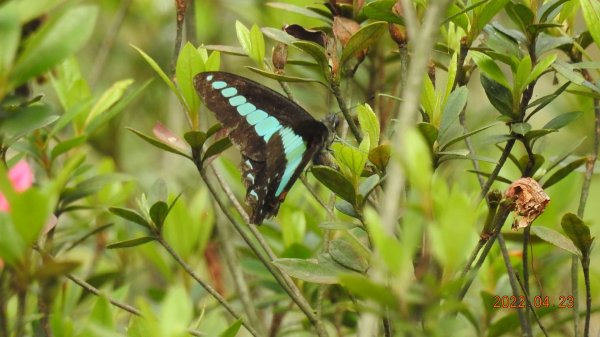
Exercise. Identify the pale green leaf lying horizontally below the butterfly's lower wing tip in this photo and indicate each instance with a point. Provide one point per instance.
(315, 271)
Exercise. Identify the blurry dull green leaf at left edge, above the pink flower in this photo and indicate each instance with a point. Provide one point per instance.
(25, 121)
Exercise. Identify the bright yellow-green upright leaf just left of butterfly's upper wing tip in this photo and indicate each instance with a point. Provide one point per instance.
(189, 63)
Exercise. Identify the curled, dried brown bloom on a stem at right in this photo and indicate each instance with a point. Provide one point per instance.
(530, 201)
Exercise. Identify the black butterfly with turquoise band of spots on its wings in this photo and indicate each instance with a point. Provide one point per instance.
(276, 137)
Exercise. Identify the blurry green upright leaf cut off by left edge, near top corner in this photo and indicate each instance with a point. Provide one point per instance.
(10, 34)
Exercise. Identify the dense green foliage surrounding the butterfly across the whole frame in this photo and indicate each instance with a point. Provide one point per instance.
(140, 236)
